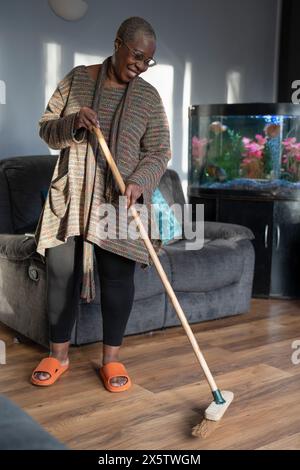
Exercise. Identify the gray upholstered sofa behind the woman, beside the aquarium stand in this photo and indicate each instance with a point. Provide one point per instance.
(210, 283)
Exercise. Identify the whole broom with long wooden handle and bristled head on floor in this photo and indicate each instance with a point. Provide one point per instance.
(221, 400)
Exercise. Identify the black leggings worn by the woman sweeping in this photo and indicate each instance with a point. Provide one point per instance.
(116, 273)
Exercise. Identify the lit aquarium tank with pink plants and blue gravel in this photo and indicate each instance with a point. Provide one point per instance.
(252, 147)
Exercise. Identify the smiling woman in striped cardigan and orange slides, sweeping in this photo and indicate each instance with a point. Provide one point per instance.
(131, 116)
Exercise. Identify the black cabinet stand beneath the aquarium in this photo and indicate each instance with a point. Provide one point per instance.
(276, 226)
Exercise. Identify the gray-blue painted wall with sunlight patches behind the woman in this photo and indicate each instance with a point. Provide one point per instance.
(199, 44)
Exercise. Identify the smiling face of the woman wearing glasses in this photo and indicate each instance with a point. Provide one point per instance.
(129, 58)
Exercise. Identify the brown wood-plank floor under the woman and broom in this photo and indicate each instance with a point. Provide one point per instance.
(248, 354)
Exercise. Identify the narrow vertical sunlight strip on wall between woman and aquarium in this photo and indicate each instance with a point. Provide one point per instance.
(186, 101)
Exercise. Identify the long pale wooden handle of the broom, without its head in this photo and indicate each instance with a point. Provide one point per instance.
(157, 263)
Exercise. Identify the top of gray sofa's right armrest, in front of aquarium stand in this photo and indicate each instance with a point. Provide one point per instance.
(215, 230)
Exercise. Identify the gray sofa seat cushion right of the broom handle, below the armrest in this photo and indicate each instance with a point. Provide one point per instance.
(219, 263)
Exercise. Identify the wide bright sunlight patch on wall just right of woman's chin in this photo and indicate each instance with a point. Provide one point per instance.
(162, 78)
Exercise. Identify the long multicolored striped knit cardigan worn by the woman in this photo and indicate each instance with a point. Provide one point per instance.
(142, 154)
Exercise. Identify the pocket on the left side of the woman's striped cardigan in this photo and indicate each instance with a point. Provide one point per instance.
(59, 195)
